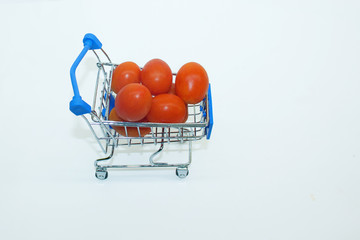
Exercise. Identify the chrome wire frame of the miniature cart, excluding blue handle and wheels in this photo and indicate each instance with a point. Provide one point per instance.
(108, 139)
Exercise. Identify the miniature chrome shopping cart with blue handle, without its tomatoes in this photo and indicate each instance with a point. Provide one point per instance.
(198, 125)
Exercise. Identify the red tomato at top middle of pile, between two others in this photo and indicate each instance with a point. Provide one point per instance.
(157, 76)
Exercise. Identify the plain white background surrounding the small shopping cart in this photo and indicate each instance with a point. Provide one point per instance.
(284, 158)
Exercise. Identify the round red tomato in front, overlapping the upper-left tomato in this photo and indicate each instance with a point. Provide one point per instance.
(133, 102)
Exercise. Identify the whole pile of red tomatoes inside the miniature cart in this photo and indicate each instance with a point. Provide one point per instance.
(150, 95)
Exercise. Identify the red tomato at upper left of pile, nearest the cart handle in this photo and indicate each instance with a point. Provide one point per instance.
(125, 73)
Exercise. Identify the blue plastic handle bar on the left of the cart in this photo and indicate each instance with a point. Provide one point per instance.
(77, 105)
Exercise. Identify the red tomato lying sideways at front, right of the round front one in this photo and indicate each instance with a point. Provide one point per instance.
(167, 108)
